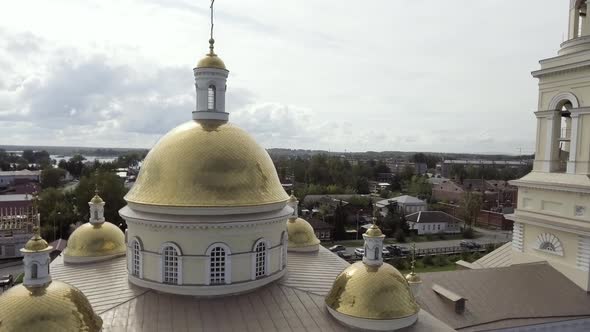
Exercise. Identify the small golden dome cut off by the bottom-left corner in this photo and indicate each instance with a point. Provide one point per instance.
(56, 307)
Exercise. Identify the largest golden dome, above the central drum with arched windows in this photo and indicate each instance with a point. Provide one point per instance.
(207, 164)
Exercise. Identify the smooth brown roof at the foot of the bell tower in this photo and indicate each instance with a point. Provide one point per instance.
(504, 297)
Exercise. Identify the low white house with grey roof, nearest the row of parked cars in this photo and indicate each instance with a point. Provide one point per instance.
(433, 222)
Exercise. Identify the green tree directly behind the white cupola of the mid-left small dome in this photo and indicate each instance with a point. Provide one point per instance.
(111, 189)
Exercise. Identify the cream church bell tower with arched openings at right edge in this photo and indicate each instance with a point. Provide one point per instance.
(552, 221)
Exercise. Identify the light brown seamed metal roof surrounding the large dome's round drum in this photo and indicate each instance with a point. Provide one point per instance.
(294, 303)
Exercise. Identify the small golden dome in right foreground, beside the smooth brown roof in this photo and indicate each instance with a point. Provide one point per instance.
(372, 292)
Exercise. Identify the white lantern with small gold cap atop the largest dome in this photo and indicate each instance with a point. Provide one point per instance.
(211, 83)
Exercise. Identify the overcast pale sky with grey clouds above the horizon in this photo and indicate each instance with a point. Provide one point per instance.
(410, 75)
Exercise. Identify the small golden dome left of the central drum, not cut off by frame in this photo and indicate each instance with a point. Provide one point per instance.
(101, 239)
